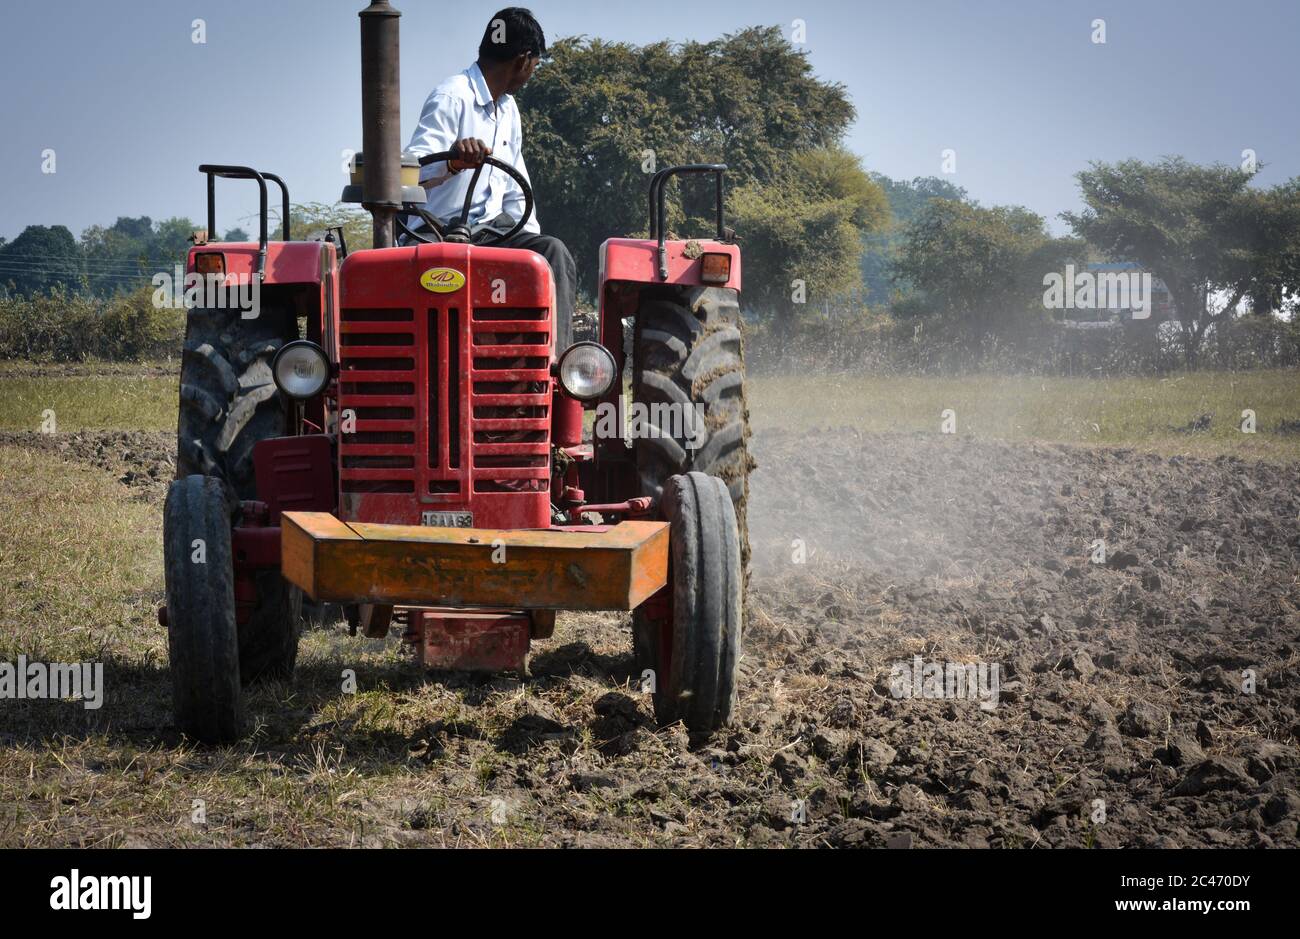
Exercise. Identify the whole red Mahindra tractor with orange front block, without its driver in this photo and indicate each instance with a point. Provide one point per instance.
(398, 432)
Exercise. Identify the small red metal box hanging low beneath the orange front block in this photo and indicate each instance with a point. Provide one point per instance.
(457, 641)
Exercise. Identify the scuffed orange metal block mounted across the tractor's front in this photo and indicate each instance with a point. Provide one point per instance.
(616, 569)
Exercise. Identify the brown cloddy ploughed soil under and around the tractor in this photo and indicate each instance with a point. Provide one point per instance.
(1149, 685)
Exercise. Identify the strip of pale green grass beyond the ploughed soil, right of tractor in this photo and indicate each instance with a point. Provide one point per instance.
(1138, 413)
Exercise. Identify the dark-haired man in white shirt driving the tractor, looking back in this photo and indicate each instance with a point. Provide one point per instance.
(475, 114)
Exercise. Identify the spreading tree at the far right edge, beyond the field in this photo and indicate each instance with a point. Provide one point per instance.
(1203, 231)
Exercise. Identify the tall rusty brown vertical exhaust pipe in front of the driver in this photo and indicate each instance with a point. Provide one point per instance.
(382, 118)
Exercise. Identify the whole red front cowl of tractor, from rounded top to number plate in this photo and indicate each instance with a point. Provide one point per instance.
(449, 393)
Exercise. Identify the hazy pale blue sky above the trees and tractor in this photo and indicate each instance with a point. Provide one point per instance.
(131, 106)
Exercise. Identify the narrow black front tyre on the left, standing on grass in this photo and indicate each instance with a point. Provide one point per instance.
(203, 642)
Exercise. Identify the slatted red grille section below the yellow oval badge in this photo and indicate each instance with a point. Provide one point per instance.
(445, 406)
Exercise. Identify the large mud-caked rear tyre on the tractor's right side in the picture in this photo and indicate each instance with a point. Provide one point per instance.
(690, 353)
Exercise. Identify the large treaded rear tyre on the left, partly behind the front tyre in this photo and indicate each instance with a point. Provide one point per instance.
(229, 403)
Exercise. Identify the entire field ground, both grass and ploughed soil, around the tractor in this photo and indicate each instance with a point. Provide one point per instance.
(877, 540)
